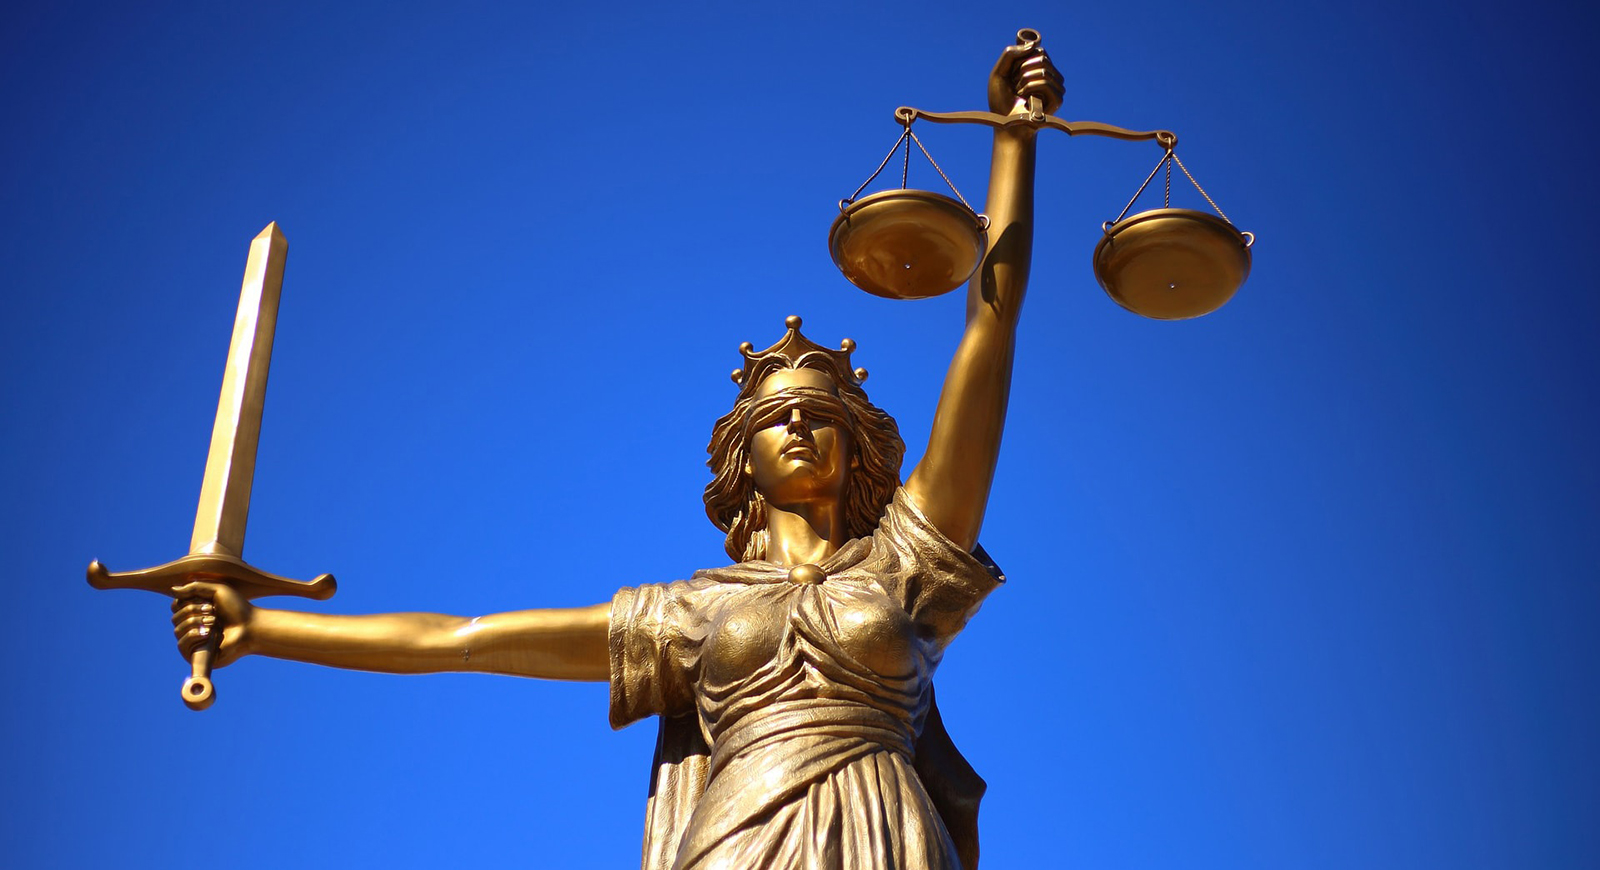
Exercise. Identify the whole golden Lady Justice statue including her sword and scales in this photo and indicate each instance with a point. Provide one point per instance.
(798, 720)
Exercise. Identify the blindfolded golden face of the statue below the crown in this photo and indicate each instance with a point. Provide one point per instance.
(801, 449)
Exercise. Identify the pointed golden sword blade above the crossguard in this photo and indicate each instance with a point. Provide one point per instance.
(231, 466)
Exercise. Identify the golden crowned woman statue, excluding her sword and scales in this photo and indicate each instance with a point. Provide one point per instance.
(798, 719)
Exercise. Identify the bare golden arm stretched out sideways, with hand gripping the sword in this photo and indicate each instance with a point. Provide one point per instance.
(548, 644)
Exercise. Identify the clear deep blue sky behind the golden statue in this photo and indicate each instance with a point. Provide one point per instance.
(1311, 583)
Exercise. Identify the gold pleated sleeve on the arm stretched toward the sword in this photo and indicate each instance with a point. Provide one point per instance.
(655, 642)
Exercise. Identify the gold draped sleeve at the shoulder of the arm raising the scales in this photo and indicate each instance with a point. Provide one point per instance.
(938, 583)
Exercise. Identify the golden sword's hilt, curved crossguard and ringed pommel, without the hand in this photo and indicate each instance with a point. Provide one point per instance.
(236, 573)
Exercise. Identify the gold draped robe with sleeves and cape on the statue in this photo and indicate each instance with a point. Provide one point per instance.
(798, 720)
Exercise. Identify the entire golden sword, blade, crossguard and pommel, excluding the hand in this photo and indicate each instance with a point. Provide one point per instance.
(225, 495)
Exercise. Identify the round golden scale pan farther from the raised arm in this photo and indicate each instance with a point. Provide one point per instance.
(1172, 263)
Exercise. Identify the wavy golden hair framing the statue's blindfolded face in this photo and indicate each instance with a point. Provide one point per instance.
(740, 511)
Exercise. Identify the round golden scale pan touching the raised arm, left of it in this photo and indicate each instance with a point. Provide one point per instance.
(908, 244)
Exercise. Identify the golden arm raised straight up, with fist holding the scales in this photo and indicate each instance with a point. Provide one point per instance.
(953, 481)
